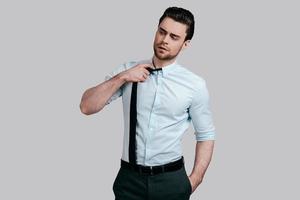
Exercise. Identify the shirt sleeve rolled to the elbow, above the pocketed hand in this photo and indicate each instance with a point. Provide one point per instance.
(201, 115)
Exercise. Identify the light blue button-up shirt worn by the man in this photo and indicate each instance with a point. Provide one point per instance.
(167, 101)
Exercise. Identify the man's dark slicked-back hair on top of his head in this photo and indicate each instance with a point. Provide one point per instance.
(183, 16)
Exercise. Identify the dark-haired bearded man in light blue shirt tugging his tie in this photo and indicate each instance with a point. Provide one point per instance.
(160, 99)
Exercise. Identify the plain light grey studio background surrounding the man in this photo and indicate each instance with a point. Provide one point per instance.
(51, 51)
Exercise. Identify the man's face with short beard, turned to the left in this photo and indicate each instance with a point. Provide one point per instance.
(169, 39)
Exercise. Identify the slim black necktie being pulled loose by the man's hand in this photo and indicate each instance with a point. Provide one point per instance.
(132, 124)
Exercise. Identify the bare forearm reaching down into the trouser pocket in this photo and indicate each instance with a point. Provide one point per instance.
(203, 155)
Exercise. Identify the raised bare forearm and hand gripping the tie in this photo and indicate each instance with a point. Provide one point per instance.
(94, 99)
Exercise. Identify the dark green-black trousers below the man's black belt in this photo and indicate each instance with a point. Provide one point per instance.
(132, 185)
